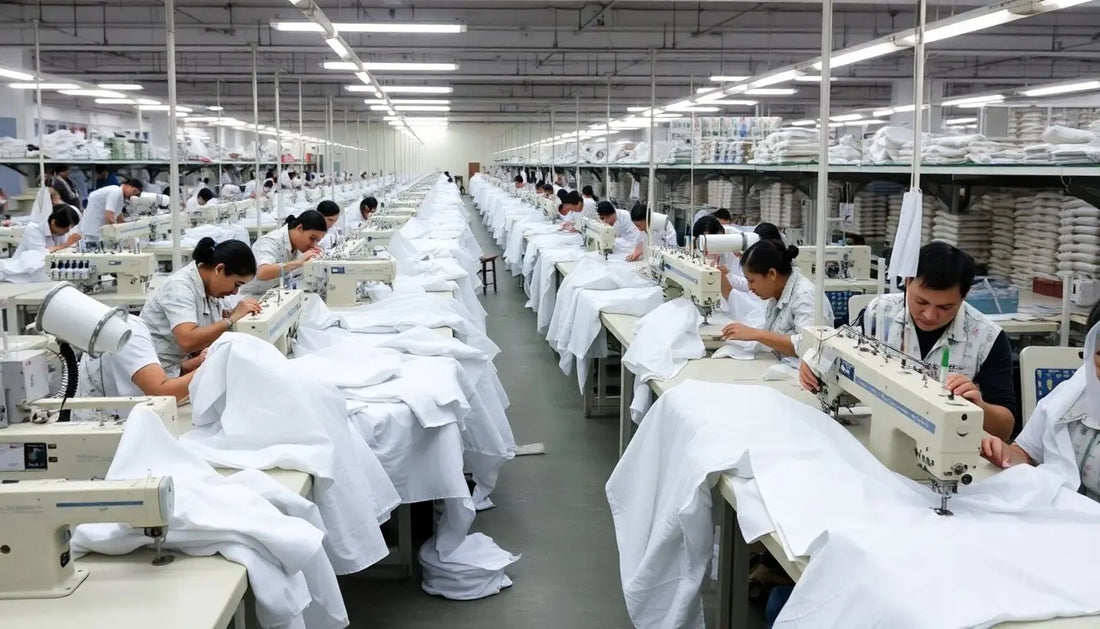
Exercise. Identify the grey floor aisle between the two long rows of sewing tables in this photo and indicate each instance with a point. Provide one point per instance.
(549, 509)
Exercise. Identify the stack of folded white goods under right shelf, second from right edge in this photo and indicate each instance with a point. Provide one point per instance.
(1038, 227)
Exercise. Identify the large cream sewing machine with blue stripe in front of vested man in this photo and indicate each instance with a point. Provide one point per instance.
(918, 428)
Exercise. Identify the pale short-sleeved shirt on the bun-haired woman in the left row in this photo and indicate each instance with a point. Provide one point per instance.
(181, 300)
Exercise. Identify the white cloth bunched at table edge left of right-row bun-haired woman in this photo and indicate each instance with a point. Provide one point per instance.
(664, 341)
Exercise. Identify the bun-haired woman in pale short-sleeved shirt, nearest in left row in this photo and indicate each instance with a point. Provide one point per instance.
(185, 315)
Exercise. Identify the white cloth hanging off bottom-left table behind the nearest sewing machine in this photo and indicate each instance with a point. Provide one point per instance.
(248, 518)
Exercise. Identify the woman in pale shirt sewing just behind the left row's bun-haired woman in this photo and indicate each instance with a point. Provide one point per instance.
(287, 250)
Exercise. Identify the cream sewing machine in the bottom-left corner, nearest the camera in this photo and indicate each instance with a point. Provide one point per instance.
(36, 516)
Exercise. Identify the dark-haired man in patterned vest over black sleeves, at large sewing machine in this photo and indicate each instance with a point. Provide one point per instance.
(932, 322)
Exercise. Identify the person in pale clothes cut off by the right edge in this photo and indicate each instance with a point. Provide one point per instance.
(1064, 431)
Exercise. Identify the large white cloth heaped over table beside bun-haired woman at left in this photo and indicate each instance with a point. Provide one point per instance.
(280, 415)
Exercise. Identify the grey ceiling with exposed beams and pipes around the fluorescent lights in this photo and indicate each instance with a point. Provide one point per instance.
(520, 60)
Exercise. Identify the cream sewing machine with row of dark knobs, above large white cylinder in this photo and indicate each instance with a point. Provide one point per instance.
(133, 271)
